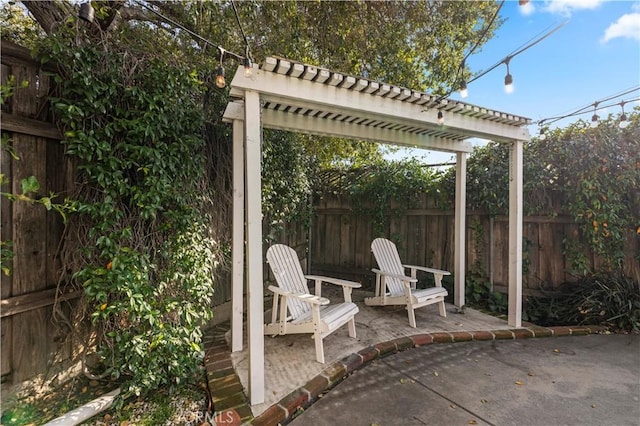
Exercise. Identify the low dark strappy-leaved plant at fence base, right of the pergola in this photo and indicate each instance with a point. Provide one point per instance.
(599, 299)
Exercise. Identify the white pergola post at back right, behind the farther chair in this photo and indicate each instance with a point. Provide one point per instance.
(460, 229)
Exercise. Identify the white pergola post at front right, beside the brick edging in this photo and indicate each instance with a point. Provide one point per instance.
(515, 233)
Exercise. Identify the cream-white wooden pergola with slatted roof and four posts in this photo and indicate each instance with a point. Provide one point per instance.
(287, 95)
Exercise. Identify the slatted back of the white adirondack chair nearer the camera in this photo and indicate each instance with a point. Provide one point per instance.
(285, 265)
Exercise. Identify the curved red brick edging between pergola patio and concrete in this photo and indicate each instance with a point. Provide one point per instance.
(288, 407)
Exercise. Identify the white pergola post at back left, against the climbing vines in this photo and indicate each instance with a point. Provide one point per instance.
(237, 267)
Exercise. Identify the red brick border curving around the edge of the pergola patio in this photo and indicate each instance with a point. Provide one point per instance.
(300, 399)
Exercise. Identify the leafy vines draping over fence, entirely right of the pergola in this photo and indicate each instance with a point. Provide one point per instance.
(596, 171)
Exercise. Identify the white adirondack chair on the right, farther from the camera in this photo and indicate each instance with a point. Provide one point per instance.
(394, 287)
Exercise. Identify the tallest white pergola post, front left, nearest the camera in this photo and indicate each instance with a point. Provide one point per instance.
(255, 308)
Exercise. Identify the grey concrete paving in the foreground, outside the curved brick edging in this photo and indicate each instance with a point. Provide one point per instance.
(569, 380)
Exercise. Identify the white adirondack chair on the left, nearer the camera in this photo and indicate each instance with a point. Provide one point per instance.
(307, 313)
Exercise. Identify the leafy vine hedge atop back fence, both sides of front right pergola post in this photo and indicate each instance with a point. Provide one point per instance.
(590, 174)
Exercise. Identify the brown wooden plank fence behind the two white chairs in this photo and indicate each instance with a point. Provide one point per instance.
(341, 241)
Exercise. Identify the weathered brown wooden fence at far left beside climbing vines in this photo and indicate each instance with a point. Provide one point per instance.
(30, 339)
